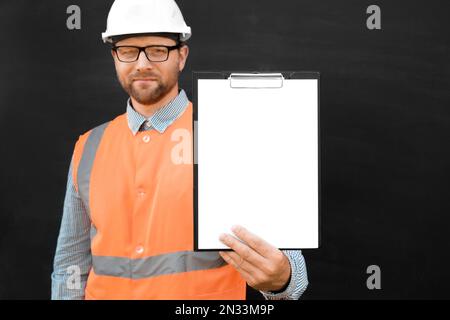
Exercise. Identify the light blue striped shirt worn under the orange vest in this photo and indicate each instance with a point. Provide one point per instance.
(73, 259)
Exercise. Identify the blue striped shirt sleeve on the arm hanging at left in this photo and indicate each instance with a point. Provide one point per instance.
(73, 259)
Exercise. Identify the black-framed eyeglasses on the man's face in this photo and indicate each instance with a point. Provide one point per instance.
(154, 53)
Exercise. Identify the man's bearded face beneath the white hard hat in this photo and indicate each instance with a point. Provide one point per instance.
(148, 82)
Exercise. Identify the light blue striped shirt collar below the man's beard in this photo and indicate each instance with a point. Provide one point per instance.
(162, 118)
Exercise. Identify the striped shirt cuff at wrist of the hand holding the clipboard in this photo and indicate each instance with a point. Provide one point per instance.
(299, 278)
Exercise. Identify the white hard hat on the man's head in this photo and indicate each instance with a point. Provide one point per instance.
(145, 16)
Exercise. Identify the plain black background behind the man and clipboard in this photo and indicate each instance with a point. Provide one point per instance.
(385, 123)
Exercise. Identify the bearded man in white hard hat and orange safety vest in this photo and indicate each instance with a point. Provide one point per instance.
(127, 226)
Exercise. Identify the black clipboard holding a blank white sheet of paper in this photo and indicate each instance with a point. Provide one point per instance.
(256, 140)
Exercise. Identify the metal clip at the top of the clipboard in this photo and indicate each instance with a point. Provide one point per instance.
(256, 80)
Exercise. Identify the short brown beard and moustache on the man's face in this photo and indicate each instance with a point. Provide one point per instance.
(152, 92)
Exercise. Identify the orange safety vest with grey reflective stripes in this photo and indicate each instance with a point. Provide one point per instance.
(140, 203)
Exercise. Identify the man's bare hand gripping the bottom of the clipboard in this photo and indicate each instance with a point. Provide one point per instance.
(263, 266)
